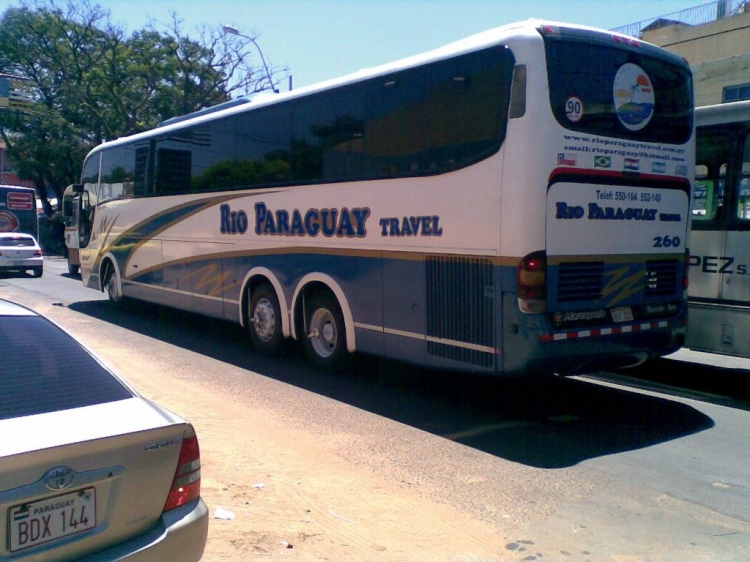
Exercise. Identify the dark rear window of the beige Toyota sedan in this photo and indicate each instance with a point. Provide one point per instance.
(42, 369)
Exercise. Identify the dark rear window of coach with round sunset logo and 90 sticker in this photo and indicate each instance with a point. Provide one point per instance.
(620, 91)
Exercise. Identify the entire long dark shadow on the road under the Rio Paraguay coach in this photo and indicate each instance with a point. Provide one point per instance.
(546, 423)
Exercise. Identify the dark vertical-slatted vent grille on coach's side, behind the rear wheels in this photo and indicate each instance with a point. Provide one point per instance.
(460, 308)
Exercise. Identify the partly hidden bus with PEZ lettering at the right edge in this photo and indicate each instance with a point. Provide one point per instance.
(719, 292)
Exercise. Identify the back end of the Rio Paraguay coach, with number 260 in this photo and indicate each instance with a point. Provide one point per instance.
(610, 285)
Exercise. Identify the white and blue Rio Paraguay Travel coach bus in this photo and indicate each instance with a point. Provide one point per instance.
(514, 203)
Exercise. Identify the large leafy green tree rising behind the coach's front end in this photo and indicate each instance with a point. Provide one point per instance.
(90, 82)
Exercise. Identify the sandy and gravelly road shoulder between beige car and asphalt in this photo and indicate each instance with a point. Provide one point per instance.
(295, 481)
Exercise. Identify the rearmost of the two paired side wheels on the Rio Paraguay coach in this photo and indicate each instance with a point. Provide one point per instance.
(325, 333)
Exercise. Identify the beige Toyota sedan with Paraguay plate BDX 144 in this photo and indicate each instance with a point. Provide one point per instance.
(89, 469)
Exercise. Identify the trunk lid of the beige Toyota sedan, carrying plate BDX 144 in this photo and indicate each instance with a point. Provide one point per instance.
(85, 478)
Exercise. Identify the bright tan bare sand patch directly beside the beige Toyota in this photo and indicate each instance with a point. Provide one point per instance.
(292, 495)
